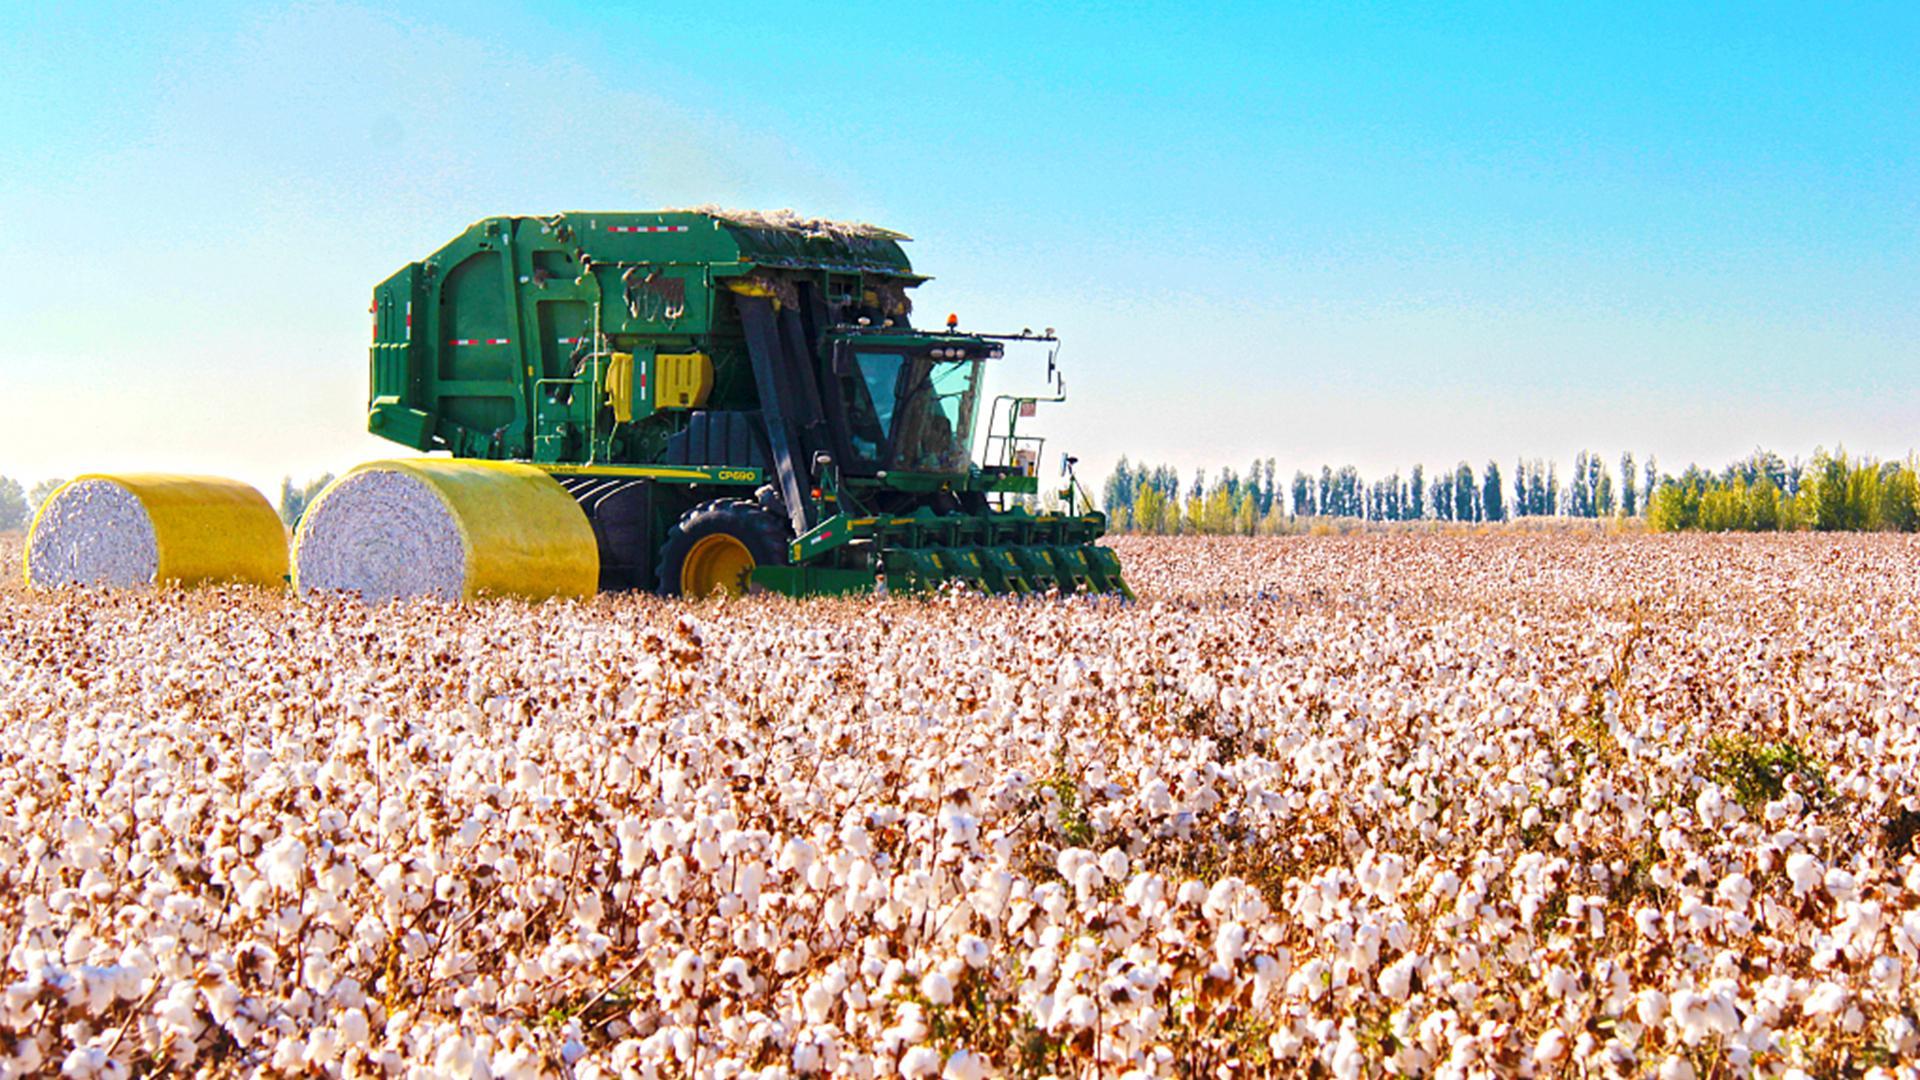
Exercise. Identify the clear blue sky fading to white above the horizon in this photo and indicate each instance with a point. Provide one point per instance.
(1320, 233)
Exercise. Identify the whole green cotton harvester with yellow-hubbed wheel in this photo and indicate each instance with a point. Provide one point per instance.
(734, 401)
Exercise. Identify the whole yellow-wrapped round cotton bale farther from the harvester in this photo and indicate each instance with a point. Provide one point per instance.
(141, 529)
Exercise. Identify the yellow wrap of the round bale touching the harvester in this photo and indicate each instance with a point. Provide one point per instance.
(523, 535)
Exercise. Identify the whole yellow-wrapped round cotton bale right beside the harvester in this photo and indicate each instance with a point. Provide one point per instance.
(446, 529)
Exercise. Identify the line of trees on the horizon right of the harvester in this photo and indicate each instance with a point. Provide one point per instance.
(1758, 495)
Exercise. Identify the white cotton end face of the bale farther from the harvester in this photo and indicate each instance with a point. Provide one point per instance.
(93, 533)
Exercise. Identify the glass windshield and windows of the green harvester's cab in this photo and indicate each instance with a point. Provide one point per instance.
(911, 412)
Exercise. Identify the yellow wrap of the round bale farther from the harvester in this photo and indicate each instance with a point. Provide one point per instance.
(206, 529)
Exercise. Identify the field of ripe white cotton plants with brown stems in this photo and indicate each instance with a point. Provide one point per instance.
(1433, 806)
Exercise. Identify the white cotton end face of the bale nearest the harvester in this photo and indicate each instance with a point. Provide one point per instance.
(381, 535)
